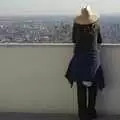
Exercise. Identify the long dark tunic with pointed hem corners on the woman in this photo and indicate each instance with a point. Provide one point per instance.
(85, 64)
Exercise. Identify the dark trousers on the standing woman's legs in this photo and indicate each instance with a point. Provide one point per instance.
(86, 111)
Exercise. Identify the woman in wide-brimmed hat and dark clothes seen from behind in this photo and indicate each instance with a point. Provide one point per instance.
(85, 68)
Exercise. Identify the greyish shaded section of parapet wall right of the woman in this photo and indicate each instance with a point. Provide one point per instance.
(109, 100)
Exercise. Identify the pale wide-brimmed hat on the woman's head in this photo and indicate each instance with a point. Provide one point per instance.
(87, 16)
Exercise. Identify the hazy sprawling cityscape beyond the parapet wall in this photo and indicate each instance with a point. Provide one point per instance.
(52, 29)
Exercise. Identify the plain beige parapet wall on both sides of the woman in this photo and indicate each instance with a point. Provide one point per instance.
(32, 80)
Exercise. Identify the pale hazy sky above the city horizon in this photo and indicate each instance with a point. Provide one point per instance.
(23, 7)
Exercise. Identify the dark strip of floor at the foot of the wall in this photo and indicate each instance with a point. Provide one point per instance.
(29, 116)
